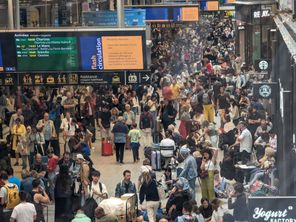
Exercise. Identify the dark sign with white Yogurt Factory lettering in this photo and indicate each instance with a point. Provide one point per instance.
(272, 209)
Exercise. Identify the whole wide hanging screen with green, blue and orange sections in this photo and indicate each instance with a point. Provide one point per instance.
(72, 51)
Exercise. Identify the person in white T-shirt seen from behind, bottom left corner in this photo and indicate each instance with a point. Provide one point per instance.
(24, 211)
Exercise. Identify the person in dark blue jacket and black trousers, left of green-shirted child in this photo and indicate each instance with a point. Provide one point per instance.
(120, 131)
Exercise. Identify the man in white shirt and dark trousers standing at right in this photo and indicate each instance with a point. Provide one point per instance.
(245, 142)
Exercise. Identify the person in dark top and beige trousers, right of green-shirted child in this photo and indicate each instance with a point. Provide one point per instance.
(146, 125)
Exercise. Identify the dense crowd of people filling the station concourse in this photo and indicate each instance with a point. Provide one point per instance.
(199, 113)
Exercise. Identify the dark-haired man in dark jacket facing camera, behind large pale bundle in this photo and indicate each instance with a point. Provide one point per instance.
(126, 185)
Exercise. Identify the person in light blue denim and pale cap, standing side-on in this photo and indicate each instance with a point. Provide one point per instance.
(189, 171)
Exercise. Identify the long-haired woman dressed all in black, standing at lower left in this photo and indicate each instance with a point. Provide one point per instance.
(63, 193)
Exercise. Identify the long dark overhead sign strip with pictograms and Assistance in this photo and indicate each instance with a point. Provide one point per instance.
(75, 78)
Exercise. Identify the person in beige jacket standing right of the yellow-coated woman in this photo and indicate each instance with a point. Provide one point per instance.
(48, 129)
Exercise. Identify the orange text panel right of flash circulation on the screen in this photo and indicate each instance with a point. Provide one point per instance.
(122, 52)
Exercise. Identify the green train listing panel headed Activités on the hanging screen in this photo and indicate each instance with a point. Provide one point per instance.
(42, 52)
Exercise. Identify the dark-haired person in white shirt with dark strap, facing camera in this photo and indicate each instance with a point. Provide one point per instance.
(96, 189)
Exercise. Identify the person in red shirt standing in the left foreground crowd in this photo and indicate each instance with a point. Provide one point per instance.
(52, 170)
